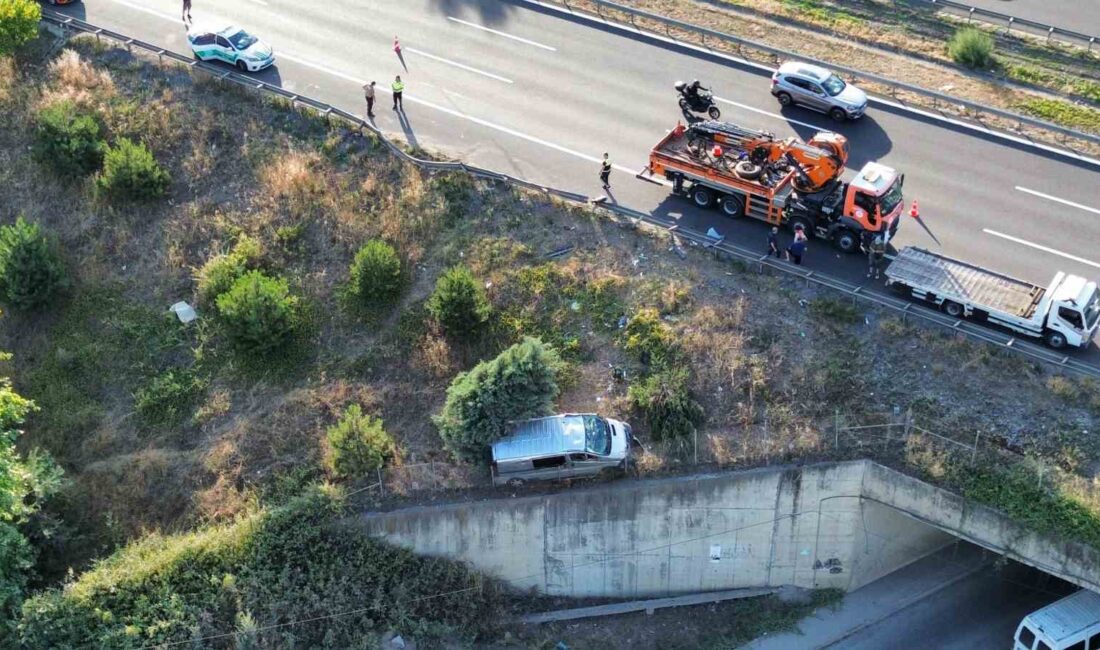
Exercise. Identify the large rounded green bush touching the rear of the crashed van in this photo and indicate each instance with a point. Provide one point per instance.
(520, 383)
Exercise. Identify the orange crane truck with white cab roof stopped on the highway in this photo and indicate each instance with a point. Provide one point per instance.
(745, 172)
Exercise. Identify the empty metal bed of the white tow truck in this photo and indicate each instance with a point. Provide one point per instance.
(994, 292)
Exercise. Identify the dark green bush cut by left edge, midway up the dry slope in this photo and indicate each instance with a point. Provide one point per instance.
(30, 269)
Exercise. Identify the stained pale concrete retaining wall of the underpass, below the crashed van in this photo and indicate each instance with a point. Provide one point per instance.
(831, 525)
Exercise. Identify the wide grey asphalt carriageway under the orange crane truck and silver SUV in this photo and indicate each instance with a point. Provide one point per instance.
(542, 95)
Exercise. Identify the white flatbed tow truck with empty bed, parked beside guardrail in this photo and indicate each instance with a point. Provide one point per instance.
(1068, 313)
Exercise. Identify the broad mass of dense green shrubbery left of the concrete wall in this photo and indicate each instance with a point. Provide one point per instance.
(256, 576)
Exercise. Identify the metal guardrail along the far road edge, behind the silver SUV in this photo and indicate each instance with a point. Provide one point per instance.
(939, 100)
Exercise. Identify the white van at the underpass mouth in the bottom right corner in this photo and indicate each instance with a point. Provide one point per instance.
(1071, 624)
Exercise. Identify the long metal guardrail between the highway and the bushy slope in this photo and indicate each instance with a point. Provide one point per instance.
(720, 247)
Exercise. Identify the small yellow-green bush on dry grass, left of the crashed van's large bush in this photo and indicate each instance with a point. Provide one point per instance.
(358, 445)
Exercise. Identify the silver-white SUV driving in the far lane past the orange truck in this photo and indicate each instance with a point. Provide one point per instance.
(818, 89)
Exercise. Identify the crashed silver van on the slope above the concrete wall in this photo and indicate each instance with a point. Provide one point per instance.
(568, 446)
